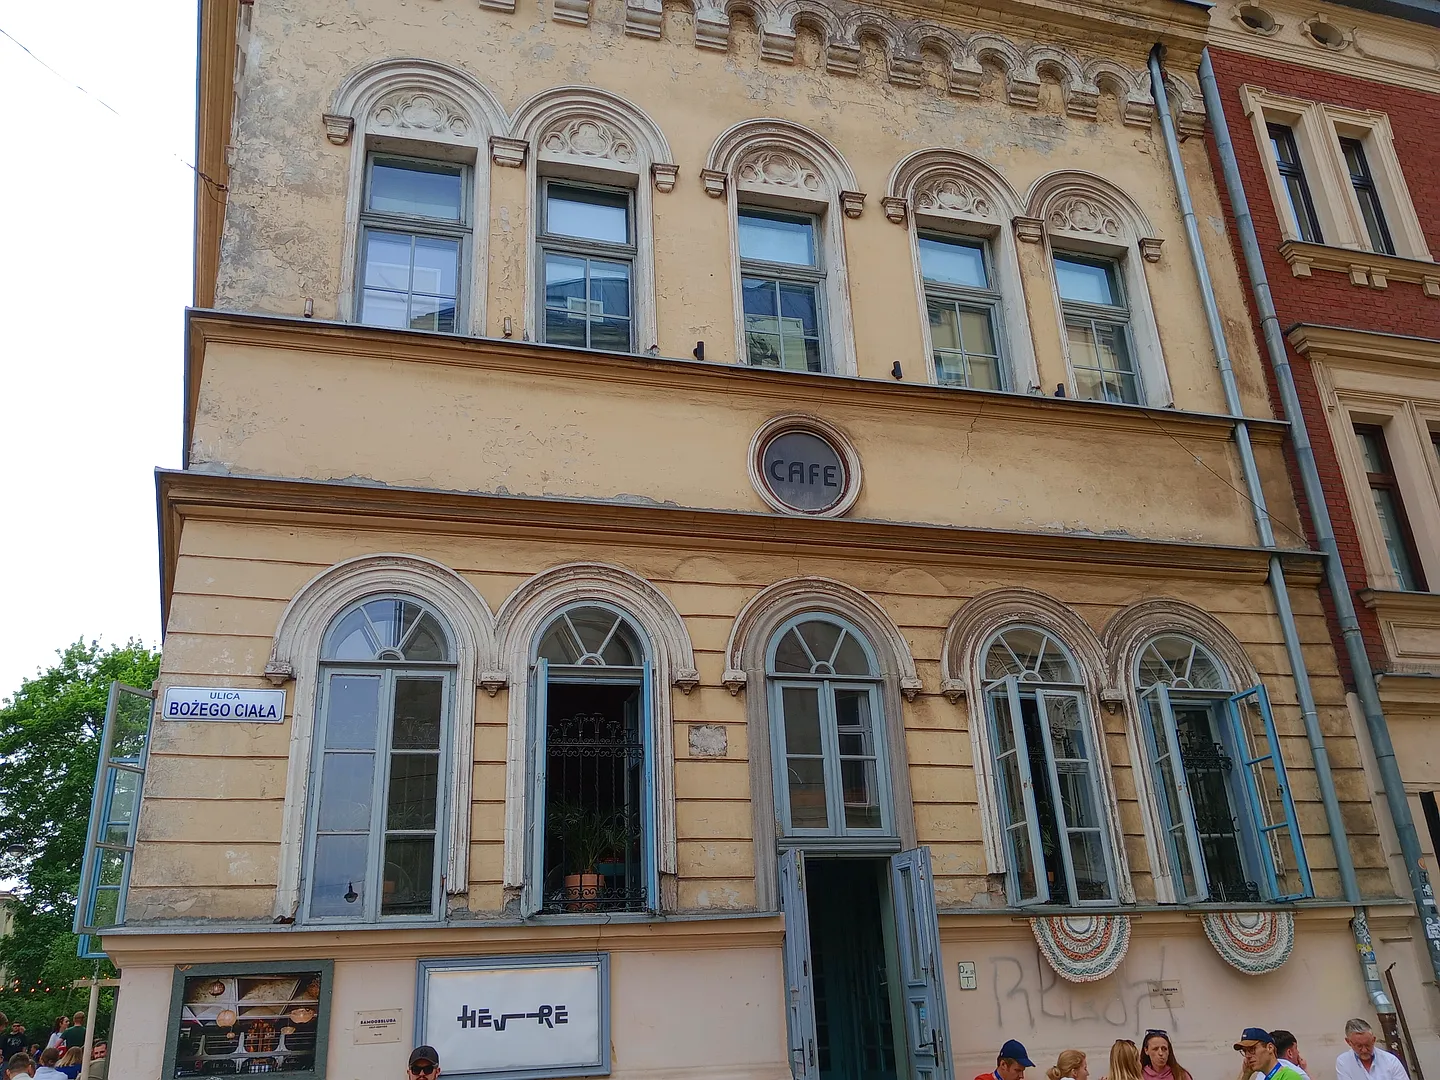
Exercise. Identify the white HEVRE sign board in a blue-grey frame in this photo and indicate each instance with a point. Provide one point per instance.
(519, 1017)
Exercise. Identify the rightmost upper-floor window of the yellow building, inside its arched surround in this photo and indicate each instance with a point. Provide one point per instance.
(1098, 329)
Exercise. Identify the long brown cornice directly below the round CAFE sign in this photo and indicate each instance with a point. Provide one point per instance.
(604, 523)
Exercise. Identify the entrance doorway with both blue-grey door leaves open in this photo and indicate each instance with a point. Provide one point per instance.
(834, 1022)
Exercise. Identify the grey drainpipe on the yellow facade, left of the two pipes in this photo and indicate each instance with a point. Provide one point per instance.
(1248, 463)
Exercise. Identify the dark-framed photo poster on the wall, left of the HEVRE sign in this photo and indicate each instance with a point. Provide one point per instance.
(243, 1019)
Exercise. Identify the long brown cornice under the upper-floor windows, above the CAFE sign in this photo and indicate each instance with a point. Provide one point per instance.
(669, 374)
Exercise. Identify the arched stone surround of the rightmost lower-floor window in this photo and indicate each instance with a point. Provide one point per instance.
(1125, 637)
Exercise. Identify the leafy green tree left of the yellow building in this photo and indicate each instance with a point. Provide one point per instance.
(50, 742)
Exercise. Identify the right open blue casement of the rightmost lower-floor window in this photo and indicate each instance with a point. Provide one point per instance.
(1279, 829)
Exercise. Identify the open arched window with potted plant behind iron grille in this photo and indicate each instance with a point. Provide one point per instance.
(593, 833)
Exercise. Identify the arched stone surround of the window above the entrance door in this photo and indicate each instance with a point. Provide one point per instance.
(747, 650)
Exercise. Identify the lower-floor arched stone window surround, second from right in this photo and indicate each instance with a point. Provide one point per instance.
(963, 675)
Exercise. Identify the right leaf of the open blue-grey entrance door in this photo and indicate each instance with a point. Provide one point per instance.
(922, 973)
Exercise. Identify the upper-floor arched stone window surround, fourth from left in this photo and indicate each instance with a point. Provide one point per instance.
(954, 192)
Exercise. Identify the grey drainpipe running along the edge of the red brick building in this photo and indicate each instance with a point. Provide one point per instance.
(1324, 531)
